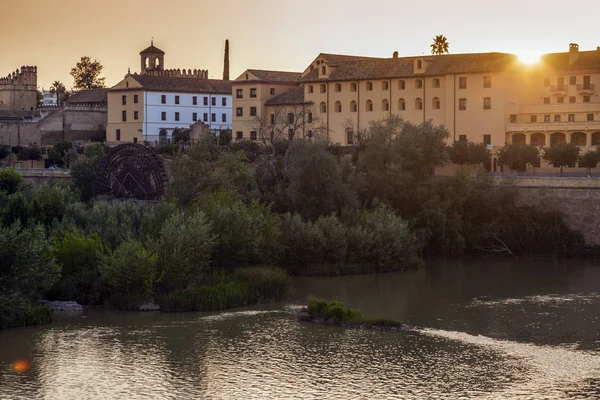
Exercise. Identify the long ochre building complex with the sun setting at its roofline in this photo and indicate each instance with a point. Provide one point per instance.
(485, 97)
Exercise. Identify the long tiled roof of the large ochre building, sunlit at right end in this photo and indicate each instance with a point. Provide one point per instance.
(404, 67)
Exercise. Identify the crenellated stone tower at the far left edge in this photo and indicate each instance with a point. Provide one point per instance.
(18, 90)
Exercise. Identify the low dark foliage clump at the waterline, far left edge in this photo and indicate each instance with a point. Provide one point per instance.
(17, 311)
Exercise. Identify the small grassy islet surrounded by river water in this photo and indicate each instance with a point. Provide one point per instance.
(335, 311)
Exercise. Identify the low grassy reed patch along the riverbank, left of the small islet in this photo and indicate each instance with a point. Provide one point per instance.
(246, 286)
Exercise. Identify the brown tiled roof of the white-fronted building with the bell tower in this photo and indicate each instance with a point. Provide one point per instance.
(183, 84)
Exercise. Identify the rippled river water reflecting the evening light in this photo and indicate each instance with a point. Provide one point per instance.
(488, 330)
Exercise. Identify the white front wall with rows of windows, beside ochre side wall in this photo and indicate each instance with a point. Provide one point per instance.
(153, 109)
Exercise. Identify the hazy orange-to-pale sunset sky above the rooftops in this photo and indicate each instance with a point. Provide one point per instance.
(275, 34)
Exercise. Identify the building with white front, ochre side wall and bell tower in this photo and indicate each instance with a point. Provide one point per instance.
(149, 106)
